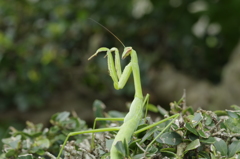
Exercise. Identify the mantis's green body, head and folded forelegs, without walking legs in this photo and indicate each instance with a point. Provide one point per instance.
(135, 113)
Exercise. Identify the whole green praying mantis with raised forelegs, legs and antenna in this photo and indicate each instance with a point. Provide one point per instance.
(135, 114)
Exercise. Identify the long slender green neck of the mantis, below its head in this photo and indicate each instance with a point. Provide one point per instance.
(136, 75)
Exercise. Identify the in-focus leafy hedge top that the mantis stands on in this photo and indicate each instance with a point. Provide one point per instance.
(199, 134)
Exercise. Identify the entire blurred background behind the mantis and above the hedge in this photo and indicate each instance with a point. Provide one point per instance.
(44, 47)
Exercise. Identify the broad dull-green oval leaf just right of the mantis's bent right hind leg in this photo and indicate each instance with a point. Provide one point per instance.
(170, 138)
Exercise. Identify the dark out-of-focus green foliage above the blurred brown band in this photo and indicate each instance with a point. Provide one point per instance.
(41, 40)
